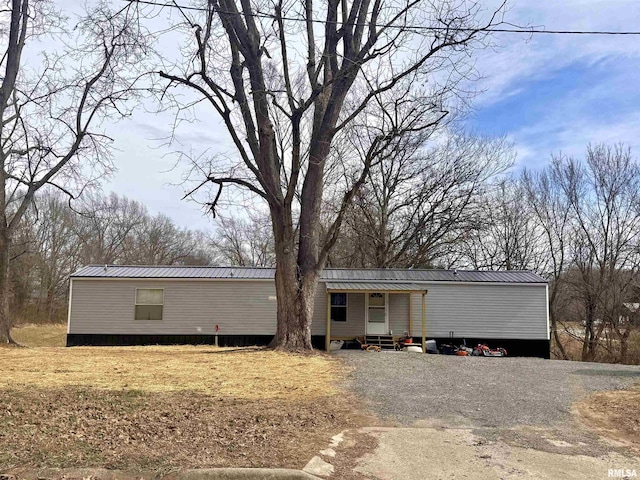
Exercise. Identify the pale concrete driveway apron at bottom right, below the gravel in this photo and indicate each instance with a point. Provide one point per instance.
(445, 454)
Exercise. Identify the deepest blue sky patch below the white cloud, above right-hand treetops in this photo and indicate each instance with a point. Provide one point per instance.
(566, 109)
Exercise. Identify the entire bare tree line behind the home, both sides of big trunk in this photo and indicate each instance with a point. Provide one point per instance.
(575, 222)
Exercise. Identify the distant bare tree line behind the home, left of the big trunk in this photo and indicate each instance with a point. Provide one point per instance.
(55, 238)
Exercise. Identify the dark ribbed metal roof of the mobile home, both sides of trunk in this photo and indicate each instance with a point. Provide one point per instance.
(329, 274)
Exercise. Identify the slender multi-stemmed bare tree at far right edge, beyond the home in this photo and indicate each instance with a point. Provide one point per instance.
(603, 192)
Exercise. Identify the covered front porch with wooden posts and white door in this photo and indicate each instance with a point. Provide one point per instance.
(373, 309)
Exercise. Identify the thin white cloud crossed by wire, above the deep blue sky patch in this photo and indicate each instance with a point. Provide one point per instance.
(519, 58)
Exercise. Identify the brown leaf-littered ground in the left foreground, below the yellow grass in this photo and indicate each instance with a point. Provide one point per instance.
(83, 427)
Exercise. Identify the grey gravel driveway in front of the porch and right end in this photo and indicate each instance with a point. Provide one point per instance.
(477, 391)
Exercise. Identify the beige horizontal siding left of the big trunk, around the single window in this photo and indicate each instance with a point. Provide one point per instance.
(190, 307)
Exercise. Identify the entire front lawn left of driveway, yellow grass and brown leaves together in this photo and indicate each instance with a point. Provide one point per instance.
(165, 407)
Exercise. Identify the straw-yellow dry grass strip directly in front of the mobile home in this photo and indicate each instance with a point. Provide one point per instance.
(220, 372)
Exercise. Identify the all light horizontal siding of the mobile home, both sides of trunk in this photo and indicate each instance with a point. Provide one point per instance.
(248, 307)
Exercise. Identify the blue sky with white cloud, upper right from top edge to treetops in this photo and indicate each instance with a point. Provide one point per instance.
(552, 94)
